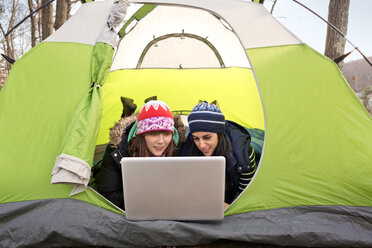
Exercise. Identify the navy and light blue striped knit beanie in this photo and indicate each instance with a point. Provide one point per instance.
(206, 117)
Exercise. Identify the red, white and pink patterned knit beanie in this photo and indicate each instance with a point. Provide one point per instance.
(155, 115)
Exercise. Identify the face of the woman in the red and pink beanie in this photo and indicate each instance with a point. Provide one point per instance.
(157, 142)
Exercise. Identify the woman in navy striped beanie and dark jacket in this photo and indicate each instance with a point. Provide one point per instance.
(211, 135)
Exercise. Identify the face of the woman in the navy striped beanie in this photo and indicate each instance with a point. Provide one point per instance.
(206, 142)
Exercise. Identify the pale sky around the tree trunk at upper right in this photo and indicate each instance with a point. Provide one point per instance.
(312, 30)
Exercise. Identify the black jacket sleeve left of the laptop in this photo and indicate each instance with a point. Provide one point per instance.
(108, 179)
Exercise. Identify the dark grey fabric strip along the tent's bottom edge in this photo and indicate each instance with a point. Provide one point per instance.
(326, 226)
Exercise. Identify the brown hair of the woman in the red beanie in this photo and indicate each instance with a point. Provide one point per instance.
(137, 146)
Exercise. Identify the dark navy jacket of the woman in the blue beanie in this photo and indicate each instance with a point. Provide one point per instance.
(240, 159)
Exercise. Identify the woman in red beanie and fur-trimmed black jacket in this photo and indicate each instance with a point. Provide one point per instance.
(155, 132)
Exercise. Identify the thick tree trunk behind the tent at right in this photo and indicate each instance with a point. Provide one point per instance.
(338, 15)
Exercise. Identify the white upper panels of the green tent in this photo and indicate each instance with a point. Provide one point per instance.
(252, 23)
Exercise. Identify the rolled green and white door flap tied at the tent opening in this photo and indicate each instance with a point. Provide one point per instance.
(84, 127)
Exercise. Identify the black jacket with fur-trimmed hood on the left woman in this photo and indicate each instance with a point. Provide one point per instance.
(107, 176)
